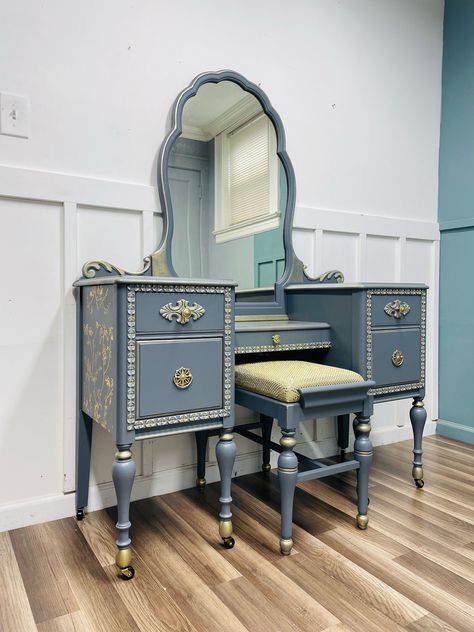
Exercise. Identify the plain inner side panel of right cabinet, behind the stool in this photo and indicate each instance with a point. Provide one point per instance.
(337, 309)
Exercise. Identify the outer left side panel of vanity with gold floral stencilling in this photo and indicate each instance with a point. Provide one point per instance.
(99, 354)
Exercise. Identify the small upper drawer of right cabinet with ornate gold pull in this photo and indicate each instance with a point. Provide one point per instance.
(395, 310)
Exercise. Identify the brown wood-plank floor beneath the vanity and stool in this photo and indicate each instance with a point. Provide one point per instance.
(413, 569)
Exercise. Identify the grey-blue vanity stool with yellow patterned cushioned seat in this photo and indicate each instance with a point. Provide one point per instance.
(293, 391)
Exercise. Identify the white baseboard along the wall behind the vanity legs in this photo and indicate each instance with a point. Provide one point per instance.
(54, 507)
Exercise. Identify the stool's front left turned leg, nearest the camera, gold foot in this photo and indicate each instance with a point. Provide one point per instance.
(287, 476)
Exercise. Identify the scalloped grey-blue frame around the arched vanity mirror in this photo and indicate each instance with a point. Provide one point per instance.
(162, 260)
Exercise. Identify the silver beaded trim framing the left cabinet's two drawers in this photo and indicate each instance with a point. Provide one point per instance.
(202, 415)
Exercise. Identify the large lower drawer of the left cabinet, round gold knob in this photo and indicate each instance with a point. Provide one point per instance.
(178, 376)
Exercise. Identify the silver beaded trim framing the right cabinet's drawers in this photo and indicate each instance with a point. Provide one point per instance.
(396, 388)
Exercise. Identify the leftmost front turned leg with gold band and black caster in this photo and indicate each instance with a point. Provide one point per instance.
(123, 475)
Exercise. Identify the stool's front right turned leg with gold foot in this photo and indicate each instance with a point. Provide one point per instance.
(363, 453)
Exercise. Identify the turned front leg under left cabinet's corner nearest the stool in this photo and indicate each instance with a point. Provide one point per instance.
(225, 454)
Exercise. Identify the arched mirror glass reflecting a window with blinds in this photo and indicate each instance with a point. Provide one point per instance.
(228, 190)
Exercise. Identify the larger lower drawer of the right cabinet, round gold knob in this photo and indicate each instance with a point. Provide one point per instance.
(396, 356)
